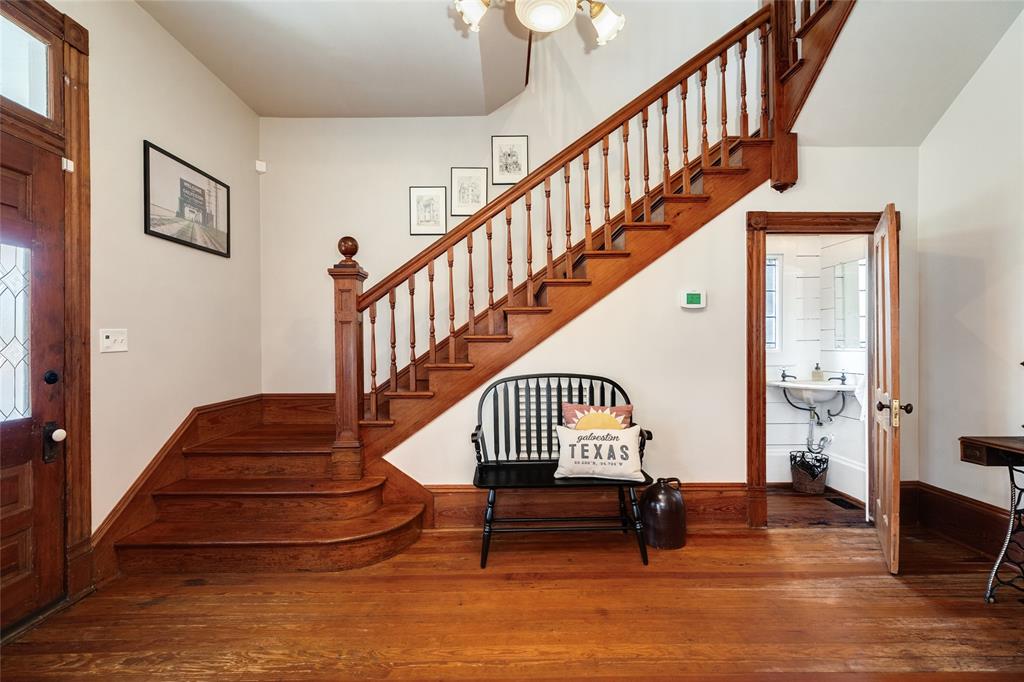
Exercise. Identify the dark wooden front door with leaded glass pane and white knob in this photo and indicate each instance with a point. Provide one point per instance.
(32, 343)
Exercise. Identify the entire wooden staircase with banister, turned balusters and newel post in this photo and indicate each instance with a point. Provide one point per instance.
(310, 497)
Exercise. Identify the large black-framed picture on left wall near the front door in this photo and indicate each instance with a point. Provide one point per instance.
(184, 204)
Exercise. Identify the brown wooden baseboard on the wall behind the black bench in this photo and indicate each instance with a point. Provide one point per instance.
(462, 506)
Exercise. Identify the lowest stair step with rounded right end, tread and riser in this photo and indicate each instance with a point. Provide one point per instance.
(166, 547)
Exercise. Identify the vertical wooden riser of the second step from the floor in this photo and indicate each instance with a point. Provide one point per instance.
(268, 508)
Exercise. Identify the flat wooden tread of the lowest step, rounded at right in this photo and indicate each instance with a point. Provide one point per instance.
(178, 534)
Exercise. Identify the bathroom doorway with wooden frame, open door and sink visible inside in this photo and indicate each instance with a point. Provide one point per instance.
(823, 372)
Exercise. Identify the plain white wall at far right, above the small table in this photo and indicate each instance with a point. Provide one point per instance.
(971, 241)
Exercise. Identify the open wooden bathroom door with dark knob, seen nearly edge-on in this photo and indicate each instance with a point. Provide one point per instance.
(885, 399)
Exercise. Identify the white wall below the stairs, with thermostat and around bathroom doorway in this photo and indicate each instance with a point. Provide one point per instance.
(685, 370)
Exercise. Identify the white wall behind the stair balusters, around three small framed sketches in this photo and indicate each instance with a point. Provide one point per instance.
(330, 178)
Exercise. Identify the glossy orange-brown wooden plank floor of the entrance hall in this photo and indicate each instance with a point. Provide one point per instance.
(736, 603)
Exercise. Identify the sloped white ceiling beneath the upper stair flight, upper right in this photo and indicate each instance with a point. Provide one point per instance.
(898, 67)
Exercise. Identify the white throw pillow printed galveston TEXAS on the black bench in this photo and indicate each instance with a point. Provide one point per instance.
(600, 454)
